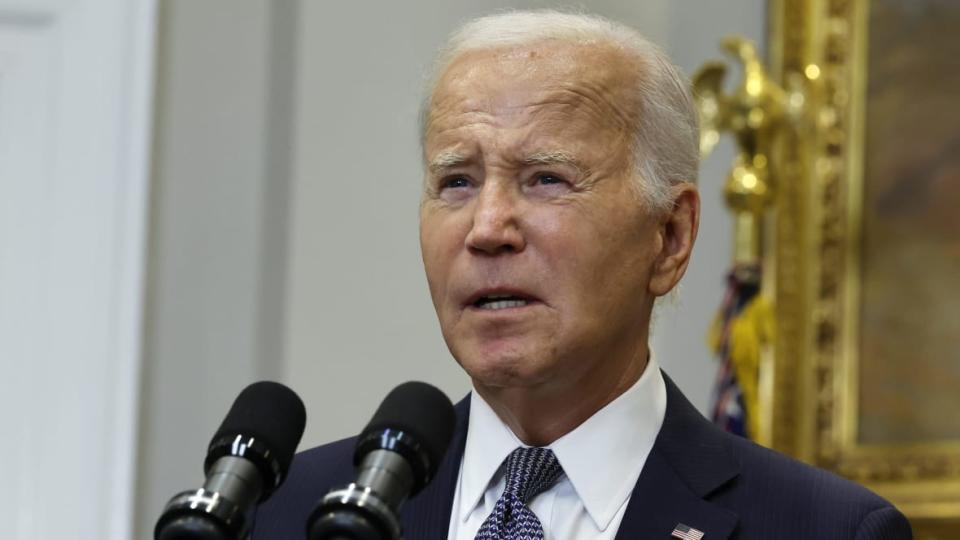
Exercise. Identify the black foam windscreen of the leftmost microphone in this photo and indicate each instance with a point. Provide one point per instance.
(269, 412)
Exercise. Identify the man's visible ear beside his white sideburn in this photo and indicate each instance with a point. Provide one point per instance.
(678, 231)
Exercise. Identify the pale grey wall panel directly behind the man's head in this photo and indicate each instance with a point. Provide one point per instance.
(359, 318)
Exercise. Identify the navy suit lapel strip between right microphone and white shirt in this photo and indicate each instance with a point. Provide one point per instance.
(427, 515)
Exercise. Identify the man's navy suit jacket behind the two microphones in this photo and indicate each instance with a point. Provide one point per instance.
(696, 475)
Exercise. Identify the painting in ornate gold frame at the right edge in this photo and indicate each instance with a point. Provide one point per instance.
(865, 251)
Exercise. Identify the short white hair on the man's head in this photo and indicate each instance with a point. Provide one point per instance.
(666, 138)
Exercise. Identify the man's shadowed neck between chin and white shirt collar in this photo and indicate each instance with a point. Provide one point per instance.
(540, 415)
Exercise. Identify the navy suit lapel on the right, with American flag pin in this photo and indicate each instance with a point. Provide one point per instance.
(689, 461)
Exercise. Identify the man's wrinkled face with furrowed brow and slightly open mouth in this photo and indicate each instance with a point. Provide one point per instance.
(537, 252)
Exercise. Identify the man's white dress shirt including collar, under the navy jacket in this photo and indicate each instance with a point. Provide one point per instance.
(601, 459)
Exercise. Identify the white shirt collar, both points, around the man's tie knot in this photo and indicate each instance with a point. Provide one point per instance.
(625, 429)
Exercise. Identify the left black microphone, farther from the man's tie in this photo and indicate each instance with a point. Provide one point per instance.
(247, 460)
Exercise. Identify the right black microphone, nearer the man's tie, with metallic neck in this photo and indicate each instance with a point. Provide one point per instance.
(396, 456)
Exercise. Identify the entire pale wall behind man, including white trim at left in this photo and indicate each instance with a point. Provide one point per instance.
(195, 195)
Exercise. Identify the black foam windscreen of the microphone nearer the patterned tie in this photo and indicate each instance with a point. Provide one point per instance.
(421, 410)
